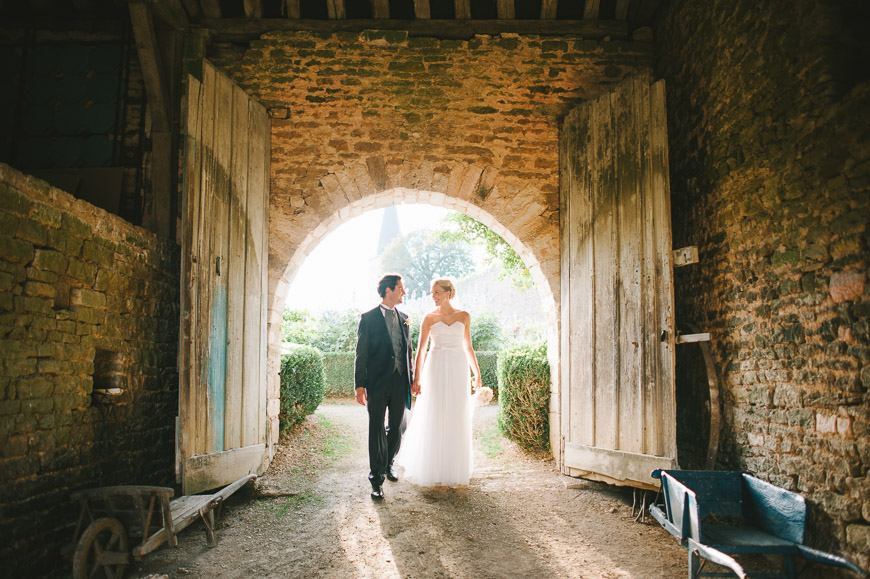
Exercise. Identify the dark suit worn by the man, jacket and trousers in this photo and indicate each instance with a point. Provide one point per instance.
(387, 388)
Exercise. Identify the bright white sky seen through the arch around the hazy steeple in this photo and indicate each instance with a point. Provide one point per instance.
(342, 272)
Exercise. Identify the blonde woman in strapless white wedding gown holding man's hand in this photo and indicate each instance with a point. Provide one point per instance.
(436, 450)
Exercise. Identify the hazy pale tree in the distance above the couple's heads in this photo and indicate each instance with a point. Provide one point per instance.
(421, 256)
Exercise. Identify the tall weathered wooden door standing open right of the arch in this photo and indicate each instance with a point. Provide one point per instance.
(618, 407)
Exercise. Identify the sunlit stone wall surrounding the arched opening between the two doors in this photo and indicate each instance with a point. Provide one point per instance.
(371, 119)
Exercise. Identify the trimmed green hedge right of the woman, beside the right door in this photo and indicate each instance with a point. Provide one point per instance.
(524, 396)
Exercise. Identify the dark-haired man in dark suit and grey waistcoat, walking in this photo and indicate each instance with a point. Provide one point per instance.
(382, 377)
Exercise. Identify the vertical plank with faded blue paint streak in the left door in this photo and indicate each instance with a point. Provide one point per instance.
(217, 385)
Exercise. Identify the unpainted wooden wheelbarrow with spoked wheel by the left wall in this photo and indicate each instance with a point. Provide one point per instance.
(109, 516)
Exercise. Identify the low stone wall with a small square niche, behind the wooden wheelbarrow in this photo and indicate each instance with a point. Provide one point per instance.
(87, 302)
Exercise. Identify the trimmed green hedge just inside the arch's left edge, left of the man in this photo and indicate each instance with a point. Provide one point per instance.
(301, 385)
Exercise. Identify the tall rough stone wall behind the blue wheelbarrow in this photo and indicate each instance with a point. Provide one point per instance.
(770, 177)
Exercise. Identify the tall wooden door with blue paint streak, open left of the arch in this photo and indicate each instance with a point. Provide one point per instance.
(222, 357)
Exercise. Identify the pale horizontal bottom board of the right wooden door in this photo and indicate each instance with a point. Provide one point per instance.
(628, 467)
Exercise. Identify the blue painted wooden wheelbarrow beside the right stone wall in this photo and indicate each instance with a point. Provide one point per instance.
(716, 514)
